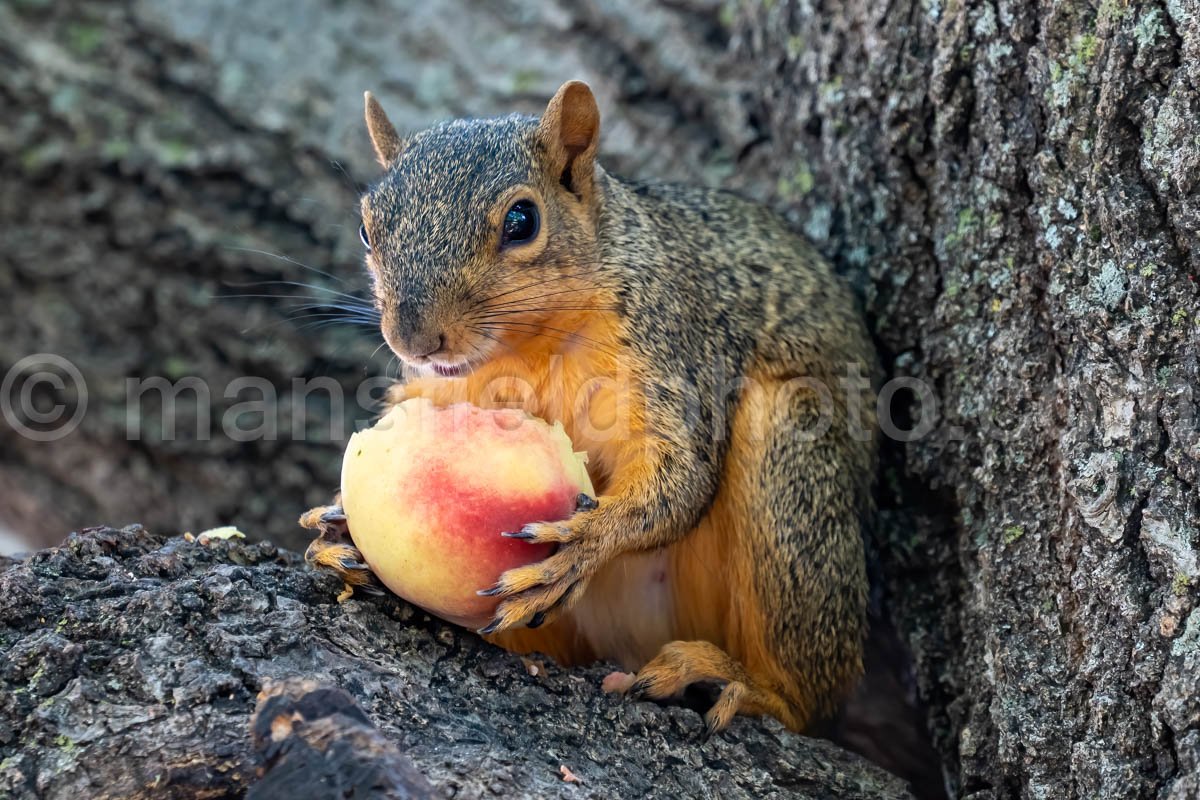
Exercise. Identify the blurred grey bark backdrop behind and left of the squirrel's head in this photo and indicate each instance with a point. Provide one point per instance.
(173, 171)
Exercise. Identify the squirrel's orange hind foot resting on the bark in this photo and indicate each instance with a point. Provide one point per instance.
(682, 664)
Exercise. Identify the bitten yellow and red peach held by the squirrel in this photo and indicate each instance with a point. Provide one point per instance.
(428, 492)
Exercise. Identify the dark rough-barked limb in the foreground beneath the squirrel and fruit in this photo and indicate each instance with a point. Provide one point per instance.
(131, 666)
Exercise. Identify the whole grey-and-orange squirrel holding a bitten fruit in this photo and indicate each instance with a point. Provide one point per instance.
(697, 350)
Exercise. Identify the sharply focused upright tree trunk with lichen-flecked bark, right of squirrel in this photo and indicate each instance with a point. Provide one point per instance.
(1016, 184)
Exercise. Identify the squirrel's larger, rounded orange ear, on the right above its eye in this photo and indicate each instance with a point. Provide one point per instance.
(571, 130)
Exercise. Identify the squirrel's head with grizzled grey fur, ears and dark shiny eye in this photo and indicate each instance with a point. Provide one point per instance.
(481, 230)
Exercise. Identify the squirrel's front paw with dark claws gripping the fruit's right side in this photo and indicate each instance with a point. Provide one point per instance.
(542, 592)
